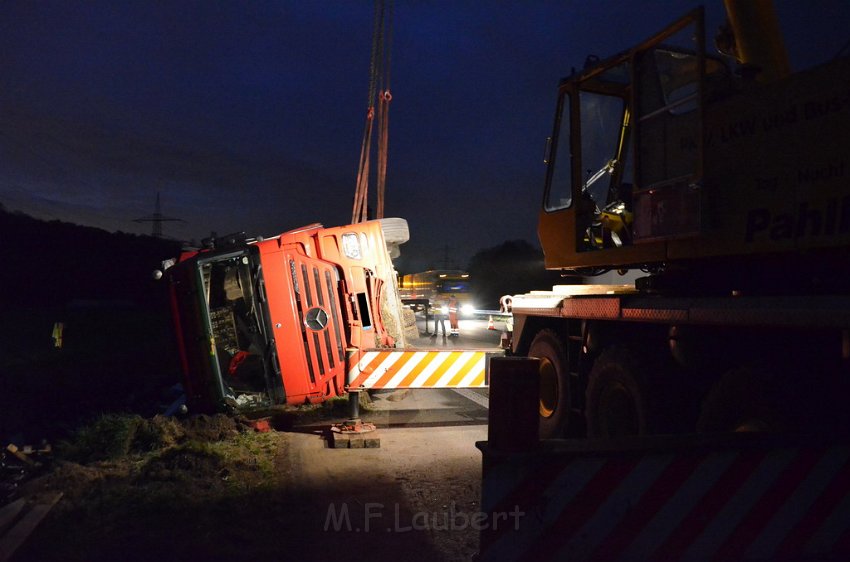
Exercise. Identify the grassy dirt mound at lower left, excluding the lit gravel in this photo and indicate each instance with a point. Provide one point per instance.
(144, 489)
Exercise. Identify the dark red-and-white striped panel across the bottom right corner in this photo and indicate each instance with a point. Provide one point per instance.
(746, 504)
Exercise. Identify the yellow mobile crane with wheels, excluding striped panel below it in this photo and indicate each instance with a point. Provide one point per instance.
(729, 188)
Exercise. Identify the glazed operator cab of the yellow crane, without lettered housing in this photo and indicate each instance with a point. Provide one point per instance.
(625, 157)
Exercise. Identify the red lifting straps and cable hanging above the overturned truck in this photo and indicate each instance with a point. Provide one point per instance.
(376, 115)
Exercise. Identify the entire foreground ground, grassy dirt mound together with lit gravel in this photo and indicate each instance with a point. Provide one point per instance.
(213, 488)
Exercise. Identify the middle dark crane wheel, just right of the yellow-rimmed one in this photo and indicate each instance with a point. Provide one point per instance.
(616, 396)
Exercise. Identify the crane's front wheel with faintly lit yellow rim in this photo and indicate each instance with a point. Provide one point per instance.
(554, 383)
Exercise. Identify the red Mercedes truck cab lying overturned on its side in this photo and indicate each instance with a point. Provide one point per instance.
(271, 321)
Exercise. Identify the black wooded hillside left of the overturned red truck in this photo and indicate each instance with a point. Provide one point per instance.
(118, 351)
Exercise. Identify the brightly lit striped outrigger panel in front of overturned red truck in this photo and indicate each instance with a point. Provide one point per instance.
(418, 369)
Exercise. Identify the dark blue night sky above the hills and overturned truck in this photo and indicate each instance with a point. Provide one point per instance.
(249, 115)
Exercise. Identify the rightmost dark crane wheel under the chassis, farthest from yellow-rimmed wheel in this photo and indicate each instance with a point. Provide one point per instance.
(743, 399)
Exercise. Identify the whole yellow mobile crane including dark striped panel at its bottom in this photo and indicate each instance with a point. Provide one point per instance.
(715, 386)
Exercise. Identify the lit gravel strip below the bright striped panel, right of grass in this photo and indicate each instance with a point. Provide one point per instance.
(411, 498)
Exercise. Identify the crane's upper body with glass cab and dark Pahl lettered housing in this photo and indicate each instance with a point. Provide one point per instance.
(663, 159)
